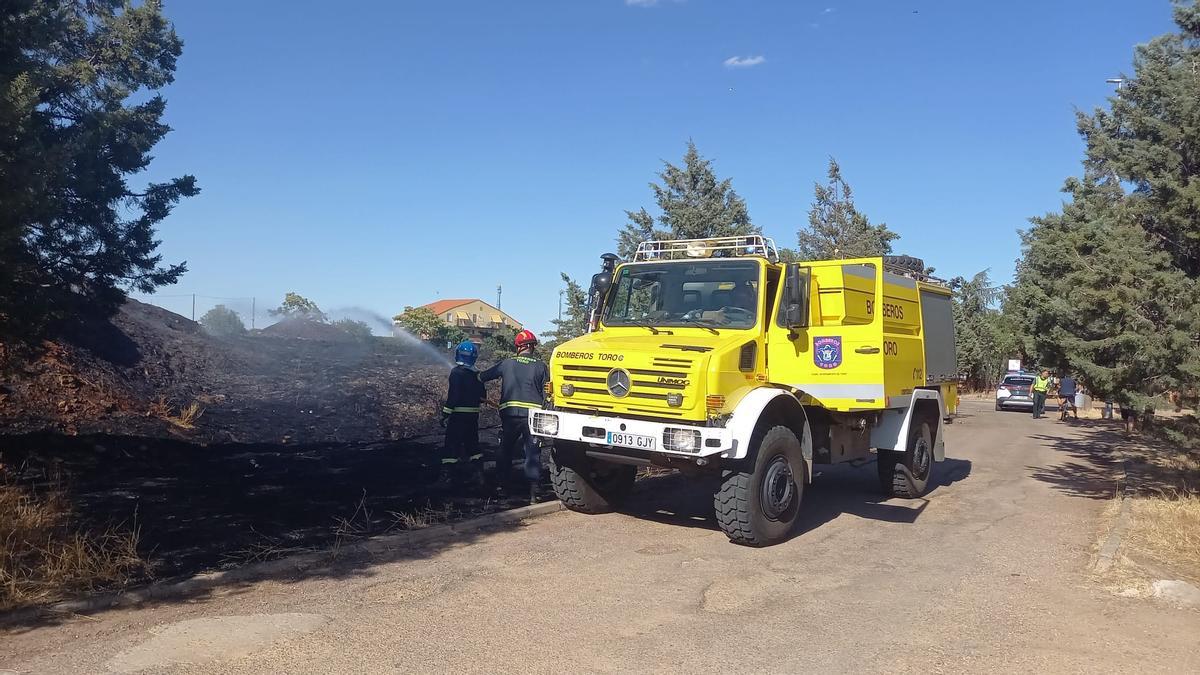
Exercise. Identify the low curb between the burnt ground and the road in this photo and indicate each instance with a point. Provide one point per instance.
(299, 563)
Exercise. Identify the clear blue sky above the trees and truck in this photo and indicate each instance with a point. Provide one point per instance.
(383, 154)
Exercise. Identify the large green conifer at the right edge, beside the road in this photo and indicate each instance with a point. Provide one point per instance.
(1109, 289)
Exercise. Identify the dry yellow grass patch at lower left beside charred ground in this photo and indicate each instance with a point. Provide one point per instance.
(45, 557)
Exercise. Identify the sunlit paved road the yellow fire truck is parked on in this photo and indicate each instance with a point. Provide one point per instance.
(989, 572)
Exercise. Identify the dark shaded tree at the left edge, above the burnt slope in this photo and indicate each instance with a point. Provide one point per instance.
(80, 114)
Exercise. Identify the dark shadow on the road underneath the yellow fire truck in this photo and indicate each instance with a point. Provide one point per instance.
(836, 492)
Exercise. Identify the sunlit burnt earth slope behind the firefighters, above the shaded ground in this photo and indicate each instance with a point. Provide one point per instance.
(153, 373)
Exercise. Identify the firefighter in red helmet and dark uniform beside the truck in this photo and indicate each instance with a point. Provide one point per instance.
(523, 390)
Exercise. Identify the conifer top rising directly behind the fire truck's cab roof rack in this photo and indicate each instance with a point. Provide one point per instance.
(694, 205)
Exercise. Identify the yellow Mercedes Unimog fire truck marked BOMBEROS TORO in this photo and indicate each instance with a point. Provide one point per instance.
(716, 359)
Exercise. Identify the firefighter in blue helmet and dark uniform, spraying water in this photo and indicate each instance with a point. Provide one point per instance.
(460, 417)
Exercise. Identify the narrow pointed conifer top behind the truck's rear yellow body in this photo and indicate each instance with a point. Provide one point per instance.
(837, 229)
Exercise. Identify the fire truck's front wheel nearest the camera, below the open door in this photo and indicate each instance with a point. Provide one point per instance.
(760, 509)
